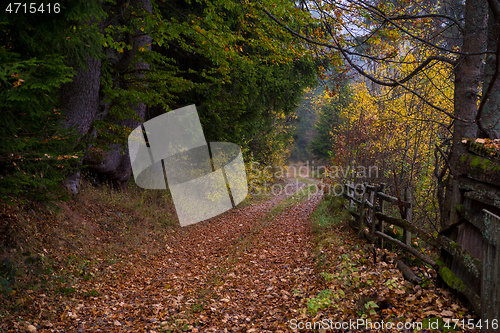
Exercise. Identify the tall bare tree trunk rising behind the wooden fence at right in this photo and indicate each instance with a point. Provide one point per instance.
(469, 74)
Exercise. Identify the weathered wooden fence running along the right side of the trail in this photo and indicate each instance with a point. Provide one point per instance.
(478, 281)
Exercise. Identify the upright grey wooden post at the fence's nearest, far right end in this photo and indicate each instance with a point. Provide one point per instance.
(490, 282)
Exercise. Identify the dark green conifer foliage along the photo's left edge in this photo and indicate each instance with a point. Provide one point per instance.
(35, 50)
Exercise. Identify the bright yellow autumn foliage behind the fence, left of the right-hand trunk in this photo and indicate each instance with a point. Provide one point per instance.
(398, 128)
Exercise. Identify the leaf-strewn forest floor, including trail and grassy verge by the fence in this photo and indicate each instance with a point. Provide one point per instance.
(252, 269)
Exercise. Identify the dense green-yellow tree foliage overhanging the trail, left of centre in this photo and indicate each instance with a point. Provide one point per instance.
(246, 75)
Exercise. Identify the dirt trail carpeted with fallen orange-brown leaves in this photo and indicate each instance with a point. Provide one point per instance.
(245, 271)
